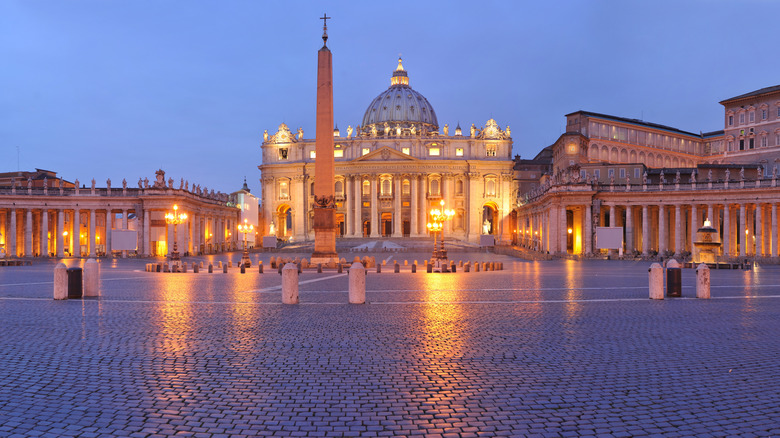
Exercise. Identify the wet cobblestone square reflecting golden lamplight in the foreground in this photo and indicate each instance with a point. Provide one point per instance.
(554, 348)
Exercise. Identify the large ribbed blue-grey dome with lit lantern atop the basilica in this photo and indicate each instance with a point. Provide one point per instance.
(400, 105)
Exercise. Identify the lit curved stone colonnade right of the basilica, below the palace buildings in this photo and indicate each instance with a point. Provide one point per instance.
(745, 228)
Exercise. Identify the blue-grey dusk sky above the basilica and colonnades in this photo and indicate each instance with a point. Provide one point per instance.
(117, 89)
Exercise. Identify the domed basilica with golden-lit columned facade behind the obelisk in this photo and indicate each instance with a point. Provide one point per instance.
(391, 170)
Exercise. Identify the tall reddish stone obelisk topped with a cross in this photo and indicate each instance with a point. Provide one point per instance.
(324, 163)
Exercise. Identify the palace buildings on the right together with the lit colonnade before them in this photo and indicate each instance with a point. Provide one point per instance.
(660, 183)
